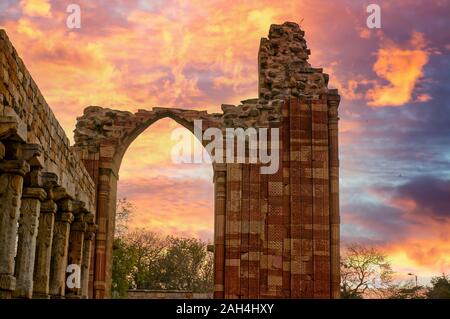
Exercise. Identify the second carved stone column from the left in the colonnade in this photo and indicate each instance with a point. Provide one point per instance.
(33, 195)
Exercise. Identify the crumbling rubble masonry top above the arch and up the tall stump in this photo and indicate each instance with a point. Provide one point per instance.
(284, 72)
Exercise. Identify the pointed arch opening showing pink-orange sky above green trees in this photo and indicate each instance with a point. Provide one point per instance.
(170, 229)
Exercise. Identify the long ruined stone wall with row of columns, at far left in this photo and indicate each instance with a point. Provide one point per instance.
(47, 197)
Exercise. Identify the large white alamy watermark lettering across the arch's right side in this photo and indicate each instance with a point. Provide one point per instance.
(250, 146)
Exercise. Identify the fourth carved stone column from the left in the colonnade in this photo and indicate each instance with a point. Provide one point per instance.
(60, 247)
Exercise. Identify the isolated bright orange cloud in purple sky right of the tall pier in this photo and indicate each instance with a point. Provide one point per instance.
(402, 68)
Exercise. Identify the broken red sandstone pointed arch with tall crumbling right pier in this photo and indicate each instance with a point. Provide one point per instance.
(276, 235)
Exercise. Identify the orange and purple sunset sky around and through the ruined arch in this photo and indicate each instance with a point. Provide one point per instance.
(394, 84)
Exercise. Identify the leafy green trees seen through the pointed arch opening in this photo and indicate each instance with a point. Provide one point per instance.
(145, 260)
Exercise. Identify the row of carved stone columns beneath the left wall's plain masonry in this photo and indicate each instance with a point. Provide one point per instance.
(42, 228)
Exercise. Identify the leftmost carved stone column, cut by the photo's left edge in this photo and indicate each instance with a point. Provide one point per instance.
(11, 182)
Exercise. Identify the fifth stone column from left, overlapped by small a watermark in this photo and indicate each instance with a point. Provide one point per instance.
(76, 245)
